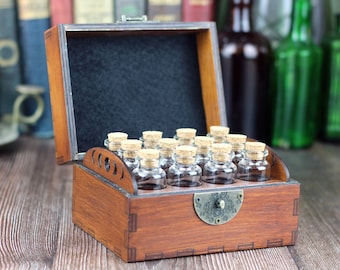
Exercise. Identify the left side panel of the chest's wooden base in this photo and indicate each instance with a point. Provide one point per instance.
(101, 211)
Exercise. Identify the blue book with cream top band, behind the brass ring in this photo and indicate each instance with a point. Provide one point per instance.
(33, 19)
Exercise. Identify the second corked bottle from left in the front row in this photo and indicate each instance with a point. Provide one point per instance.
(185, 172)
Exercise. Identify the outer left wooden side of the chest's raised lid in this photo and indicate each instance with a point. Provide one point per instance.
(56, 83)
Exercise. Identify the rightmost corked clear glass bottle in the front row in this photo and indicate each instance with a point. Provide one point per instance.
(254, 167)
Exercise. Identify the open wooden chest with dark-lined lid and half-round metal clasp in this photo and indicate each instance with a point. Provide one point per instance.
(153, 76)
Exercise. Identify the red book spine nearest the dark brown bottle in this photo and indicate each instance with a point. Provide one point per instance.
(198, 10)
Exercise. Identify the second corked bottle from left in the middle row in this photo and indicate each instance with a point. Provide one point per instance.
(167, 148)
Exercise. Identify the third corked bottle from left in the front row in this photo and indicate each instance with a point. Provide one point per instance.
(221, 169)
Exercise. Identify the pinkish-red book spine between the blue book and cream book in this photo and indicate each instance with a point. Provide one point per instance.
(61, 11)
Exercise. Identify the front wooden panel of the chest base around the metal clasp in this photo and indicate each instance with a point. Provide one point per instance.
(167, 226)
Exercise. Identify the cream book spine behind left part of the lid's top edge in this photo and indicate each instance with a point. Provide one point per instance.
(89, 11)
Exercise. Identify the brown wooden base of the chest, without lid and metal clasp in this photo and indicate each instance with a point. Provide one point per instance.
(162, 224)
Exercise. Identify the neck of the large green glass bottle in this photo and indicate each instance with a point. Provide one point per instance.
(301, 21)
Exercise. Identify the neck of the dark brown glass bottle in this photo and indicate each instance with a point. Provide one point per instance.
(240, 16)
